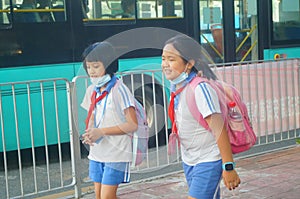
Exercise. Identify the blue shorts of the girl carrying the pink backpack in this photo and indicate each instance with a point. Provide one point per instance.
(204, 179)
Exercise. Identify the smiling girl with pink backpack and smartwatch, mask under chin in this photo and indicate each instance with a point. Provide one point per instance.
(199, 126)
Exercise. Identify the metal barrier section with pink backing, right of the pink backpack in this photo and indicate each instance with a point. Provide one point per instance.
(271, 91)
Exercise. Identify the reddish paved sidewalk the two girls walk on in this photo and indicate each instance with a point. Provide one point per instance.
(273, 175)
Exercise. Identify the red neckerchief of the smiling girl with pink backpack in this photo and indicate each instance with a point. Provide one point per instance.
(171, 112)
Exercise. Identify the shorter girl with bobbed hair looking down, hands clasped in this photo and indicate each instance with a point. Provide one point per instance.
(110, 122)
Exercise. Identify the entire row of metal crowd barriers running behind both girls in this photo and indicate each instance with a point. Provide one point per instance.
(41, 122)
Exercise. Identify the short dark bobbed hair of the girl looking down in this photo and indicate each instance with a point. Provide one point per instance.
(103, 52)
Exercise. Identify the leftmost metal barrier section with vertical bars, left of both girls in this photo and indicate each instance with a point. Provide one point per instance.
(34, 131)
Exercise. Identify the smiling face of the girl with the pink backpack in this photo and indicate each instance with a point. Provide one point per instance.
(172, 63)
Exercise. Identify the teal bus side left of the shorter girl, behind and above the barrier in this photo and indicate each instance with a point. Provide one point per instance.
(34, 107)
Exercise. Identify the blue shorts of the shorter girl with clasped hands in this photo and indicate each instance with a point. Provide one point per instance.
(109, 173)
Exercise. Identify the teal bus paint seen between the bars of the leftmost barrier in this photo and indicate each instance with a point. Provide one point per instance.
(33, 114)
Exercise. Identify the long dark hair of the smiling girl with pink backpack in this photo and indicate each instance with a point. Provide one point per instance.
(190, 49)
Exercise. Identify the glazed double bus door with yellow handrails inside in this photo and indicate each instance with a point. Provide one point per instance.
(228, 29)
